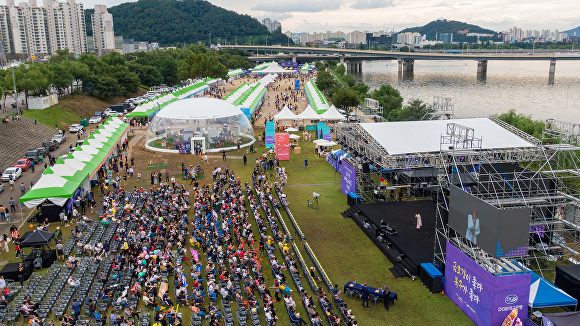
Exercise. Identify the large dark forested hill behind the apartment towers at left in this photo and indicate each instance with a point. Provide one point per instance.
(173, 22)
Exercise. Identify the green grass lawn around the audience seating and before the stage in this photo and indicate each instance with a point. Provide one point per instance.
(343, 250)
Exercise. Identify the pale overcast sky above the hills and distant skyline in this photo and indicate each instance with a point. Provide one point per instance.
(374, 15)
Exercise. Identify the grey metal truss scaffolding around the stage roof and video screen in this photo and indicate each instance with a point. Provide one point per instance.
(545, 178)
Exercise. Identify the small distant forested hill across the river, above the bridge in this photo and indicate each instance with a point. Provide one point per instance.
(459, 29)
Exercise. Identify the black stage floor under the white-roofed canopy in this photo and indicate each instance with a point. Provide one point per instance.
(409, 247)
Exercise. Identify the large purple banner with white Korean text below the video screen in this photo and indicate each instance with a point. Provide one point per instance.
(483, 297)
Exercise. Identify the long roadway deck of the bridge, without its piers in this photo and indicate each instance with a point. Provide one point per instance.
(352, 54)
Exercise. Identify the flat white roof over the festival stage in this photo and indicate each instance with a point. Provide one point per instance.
(410, 137)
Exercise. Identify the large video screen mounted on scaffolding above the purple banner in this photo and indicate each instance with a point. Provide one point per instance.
(500, 232)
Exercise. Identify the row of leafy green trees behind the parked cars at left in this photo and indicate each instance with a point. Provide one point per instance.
(115, 74)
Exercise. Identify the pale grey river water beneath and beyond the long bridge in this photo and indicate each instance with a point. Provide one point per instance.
(519, 85)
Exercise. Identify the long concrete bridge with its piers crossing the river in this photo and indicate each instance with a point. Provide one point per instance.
(352, 58)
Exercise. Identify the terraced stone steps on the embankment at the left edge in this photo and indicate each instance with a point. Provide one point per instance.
(16, 137)
